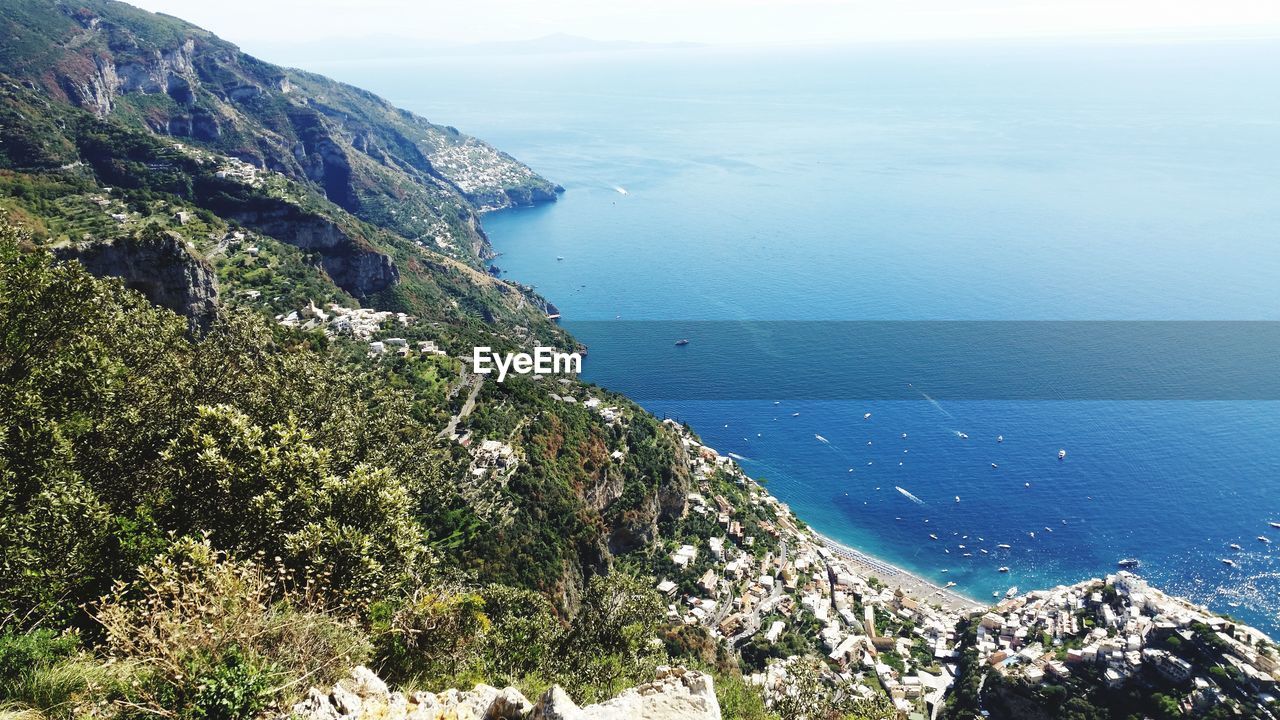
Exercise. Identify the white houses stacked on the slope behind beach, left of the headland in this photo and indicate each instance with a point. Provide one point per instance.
(748, 595)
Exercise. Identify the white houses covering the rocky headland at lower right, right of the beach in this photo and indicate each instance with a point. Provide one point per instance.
(1127, 631)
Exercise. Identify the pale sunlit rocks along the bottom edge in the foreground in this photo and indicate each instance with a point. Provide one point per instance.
(675, 695)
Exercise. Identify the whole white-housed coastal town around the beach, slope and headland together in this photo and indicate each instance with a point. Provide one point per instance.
(775, 590)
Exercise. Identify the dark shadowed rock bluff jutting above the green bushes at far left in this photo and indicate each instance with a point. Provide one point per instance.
(161, 266)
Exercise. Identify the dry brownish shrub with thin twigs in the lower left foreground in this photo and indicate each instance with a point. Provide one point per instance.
(221, 637)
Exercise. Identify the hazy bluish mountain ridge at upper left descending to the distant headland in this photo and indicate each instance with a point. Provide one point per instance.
(372, 160)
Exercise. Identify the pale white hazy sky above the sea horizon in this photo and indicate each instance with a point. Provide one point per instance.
(258, 24)
